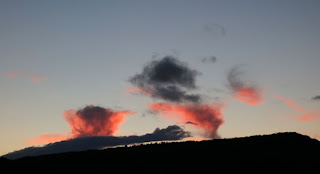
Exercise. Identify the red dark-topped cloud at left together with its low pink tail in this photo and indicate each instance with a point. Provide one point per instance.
(88, 121)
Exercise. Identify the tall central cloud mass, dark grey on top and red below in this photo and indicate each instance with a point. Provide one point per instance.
(172, 80)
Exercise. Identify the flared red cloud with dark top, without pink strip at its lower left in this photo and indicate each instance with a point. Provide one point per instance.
(94, 121)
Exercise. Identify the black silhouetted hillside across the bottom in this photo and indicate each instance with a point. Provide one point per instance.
(282, 152)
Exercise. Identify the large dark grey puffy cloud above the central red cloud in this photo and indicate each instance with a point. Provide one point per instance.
(168, 79)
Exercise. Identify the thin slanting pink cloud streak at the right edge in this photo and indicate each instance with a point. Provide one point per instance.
(307, 116)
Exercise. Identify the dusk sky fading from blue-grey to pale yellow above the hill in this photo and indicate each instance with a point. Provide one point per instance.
(256, 61)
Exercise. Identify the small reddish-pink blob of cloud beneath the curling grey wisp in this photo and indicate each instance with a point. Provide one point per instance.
(250, 96)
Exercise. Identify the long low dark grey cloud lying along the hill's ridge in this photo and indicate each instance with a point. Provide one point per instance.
(173, 132)
